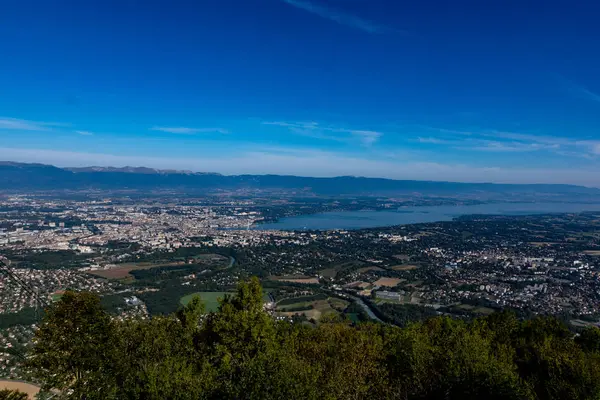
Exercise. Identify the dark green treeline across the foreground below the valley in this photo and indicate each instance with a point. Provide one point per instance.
(240, 352)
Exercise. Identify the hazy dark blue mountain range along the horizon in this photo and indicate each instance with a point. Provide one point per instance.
(38, 177)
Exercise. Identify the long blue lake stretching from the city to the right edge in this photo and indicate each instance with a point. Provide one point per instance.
(413, 215)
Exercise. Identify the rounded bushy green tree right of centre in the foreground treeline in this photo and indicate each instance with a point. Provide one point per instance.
(449, 359)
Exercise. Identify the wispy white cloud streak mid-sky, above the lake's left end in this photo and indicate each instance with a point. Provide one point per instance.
(317, 131)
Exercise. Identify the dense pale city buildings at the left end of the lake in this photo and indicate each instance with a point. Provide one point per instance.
(85, 226)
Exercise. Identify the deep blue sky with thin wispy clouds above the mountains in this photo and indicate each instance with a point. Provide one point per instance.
(495, 91)
